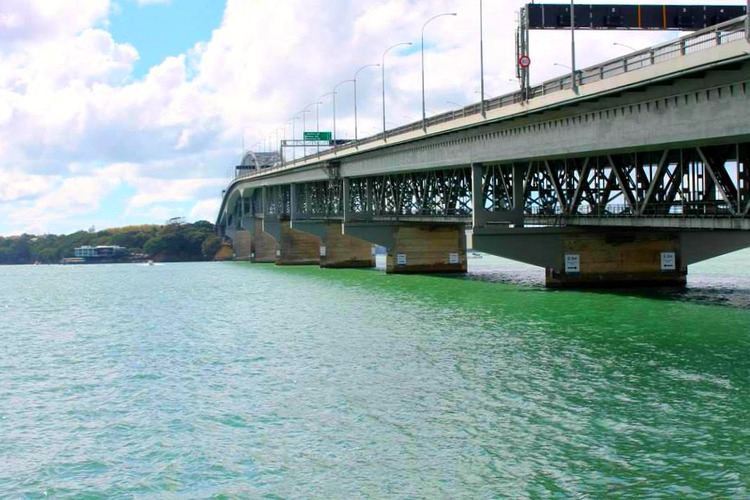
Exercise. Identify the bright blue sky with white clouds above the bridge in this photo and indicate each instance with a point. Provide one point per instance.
(122, 112)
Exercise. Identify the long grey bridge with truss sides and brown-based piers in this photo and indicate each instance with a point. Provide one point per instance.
(626, 176)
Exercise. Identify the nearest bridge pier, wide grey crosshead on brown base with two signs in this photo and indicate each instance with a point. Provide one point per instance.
(610, 257)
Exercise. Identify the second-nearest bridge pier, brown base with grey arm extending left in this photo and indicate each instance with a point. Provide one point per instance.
(416, 247)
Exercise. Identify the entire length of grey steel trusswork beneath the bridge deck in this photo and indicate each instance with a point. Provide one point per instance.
(705, 181)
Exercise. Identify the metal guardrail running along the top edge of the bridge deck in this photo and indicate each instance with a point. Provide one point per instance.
(735, 29)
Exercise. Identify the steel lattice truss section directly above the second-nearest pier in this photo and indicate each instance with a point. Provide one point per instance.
(440, 193)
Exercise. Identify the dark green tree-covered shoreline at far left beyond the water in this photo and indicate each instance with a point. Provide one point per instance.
(175, 241)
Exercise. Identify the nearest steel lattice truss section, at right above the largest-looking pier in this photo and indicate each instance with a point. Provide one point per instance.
(709, 180)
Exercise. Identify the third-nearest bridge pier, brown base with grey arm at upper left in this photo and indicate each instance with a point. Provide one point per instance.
(338, 250)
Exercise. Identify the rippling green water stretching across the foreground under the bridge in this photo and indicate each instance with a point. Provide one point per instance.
(231, 380)
